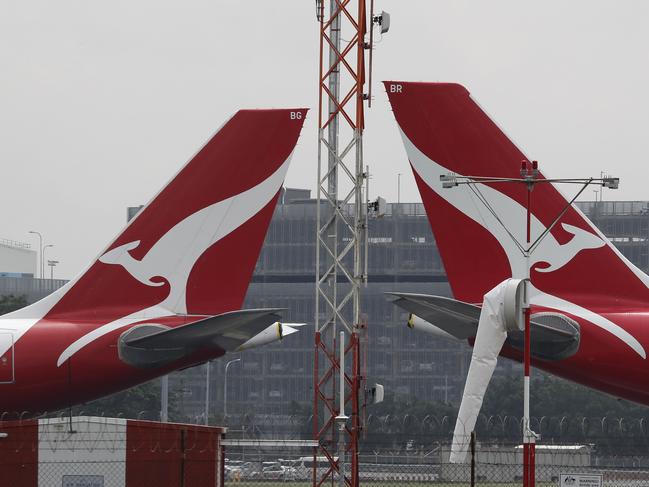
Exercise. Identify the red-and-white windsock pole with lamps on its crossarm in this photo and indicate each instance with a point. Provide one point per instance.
(530, 177)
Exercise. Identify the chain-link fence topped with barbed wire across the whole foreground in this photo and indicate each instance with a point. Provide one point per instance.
(271, 450)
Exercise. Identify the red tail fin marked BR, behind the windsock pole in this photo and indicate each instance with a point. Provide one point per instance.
(476, 227)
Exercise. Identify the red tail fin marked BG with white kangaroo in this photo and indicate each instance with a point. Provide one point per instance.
(193, 247)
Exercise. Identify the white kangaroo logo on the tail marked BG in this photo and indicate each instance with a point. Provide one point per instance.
(174, 255)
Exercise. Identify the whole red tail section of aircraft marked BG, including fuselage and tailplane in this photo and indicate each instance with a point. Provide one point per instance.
(167, 293)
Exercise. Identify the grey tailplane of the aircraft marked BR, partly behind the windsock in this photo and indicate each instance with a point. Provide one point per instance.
(554, 336)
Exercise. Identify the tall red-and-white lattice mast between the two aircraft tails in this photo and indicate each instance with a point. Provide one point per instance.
(341, 238)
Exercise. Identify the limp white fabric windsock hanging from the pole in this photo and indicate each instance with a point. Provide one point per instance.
(490, 337)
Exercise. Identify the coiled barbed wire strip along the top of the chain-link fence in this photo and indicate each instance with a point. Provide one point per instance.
(396, 427)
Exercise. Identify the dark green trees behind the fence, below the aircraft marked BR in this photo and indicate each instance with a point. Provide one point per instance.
(562, 412)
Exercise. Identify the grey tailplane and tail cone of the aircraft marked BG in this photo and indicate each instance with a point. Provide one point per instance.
(153, 345)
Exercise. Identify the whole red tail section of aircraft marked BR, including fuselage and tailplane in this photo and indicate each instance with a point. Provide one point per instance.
(590, 305)
